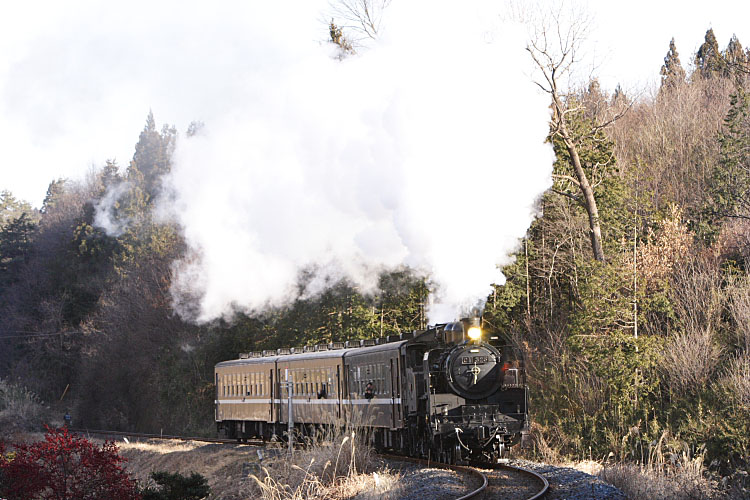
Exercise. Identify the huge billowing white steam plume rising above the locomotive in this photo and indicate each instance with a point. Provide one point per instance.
(426, 149)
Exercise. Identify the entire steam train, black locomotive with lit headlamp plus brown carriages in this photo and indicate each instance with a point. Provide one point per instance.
(446, 392)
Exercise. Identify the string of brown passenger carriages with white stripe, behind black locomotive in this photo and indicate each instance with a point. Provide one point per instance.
(328, 386)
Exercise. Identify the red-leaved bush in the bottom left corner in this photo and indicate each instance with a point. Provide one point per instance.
(65, 467)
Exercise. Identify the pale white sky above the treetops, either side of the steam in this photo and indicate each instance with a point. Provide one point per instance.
(77, 78)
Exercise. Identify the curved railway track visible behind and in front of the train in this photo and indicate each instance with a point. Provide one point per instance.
(499, 481)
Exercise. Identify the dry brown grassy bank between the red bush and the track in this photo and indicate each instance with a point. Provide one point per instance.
(333, 465)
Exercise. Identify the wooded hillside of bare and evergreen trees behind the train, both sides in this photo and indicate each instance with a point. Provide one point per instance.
(645, 343)
